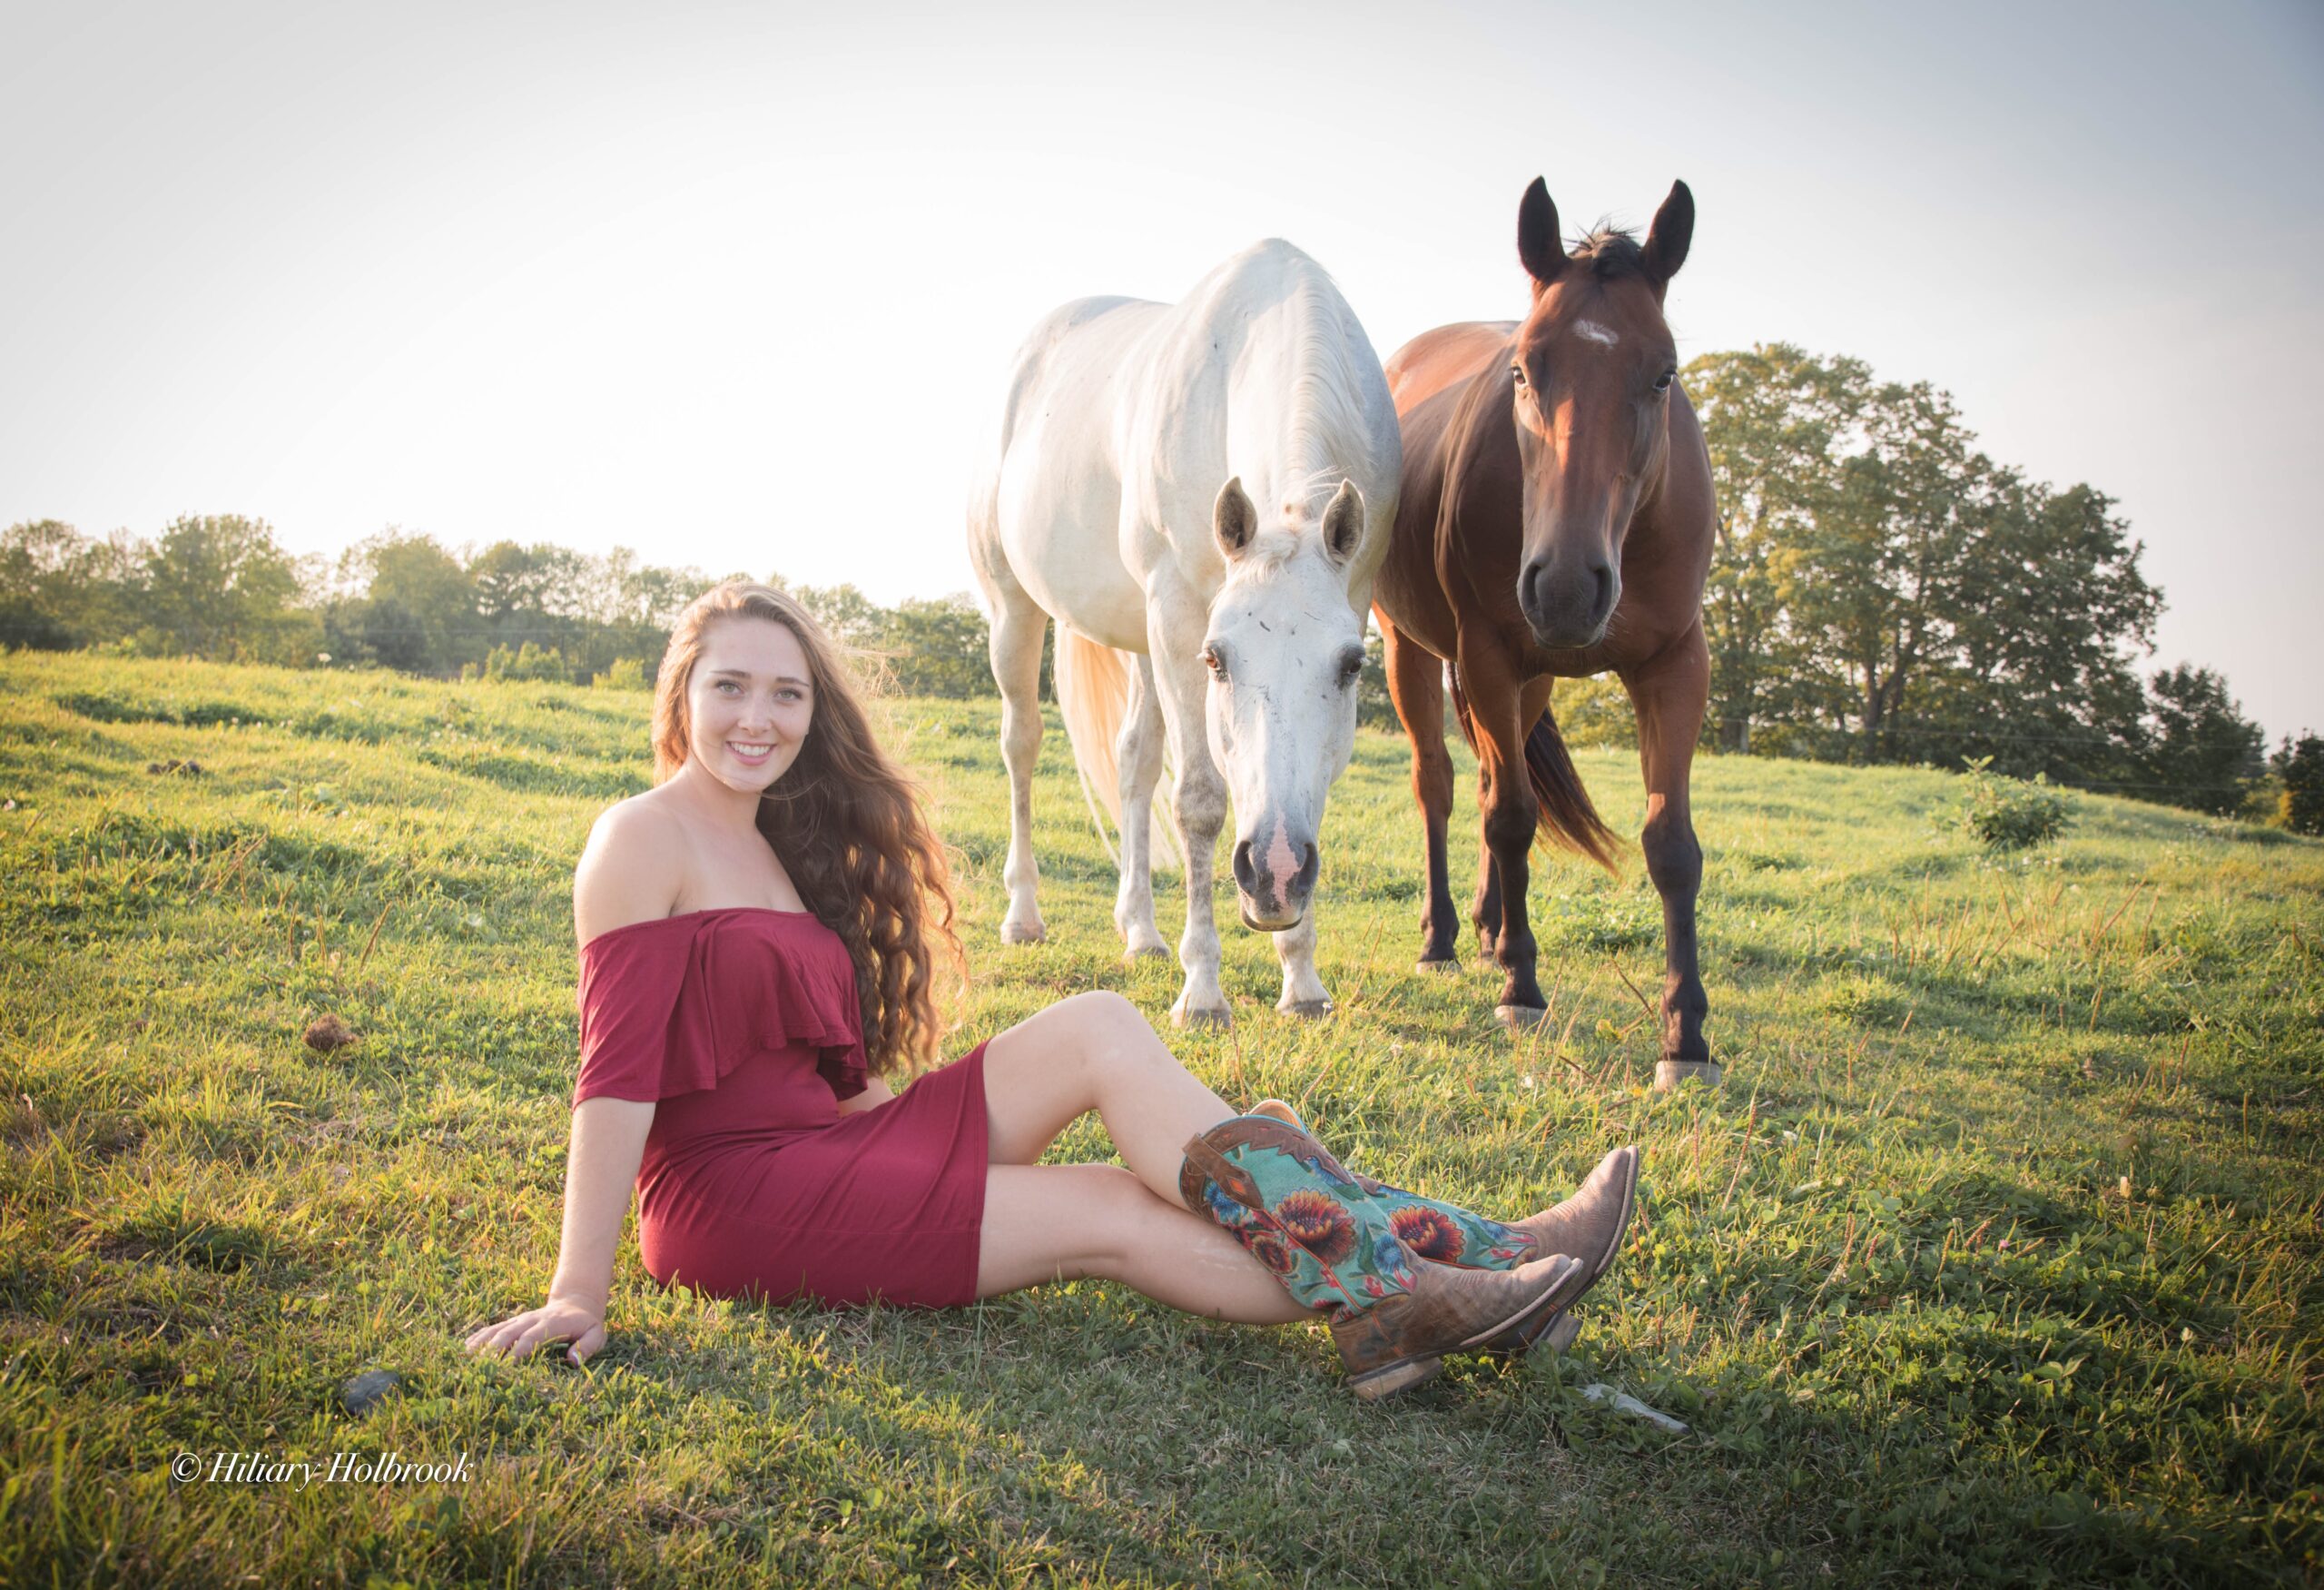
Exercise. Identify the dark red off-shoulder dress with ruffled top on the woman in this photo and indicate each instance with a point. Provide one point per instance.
(743, 1029)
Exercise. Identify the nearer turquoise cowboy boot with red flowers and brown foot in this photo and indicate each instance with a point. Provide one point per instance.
(1333, 1247)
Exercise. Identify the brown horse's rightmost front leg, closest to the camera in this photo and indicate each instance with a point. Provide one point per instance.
(1670, 694)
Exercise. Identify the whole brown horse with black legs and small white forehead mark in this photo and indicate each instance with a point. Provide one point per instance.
(1556, 522)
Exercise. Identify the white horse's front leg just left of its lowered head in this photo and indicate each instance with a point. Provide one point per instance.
(1175, 626)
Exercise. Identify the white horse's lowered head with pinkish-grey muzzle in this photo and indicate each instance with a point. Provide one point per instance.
(1284, 650)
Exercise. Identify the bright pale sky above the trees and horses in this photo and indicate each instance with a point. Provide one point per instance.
(738, 285)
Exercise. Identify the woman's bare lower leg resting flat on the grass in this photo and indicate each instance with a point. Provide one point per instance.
(1070, 1222)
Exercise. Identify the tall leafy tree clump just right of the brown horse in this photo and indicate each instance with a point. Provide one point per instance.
(1886, 592)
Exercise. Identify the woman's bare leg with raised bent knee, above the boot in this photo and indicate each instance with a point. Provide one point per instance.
(1096, 1052)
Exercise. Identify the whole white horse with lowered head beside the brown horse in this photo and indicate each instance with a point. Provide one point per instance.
(1200, 496)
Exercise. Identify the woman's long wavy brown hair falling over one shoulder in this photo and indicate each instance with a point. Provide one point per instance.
(845, 822)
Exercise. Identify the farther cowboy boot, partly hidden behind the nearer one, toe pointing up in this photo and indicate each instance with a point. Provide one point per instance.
(1586, 1226)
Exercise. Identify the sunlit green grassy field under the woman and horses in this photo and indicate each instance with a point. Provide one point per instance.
(1997, 1259)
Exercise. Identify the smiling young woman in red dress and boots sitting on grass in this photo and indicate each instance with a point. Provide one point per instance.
(759, 940)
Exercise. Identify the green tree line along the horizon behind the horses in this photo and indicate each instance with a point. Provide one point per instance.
(1881, 594)
